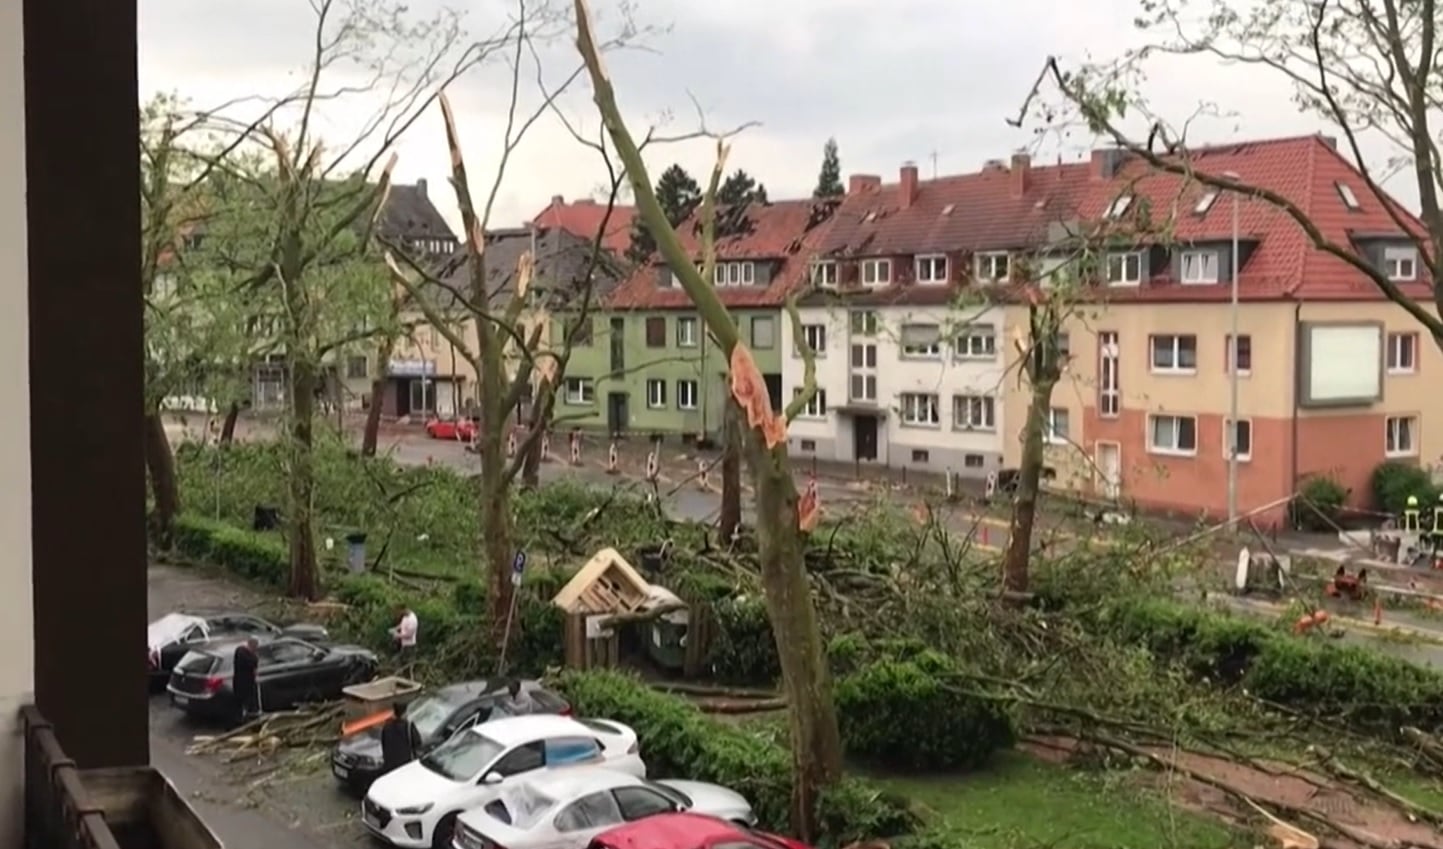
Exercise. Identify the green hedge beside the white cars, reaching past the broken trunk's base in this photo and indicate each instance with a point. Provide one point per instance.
(679, 740)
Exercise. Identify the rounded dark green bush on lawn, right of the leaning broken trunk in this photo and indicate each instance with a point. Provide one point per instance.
(914, 715)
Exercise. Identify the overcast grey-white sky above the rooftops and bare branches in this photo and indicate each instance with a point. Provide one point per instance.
(930, 82)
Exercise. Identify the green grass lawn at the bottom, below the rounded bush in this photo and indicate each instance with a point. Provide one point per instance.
(1025, 802)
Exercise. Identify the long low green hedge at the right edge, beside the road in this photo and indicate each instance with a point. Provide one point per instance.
(1348, 684)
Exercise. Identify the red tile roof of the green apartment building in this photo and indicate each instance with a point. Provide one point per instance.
(789, 232)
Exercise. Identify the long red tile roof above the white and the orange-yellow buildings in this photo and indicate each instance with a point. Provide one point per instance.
(988, 212)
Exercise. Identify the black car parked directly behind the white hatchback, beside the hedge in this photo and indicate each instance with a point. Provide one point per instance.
(438, 715)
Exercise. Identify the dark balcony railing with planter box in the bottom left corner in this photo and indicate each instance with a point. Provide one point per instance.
(67, 808)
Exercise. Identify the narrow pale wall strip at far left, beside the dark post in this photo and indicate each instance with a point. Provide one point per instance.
(17, 626)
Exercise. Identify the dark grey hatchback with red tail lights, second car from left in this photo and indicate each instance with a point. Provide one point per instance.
(291, 672)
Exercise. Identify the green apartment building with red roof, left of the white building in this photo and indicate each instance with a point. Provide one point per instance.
(652, 367)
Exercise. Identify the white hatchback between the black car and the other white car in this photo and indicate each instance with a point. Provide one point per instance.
(418, 805)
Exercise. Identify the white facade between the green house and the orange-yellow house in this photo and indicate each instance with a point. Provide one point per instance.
(903, 388)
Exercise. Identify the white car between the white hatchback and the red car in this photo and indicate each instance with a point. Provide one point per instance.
(566, 809)
